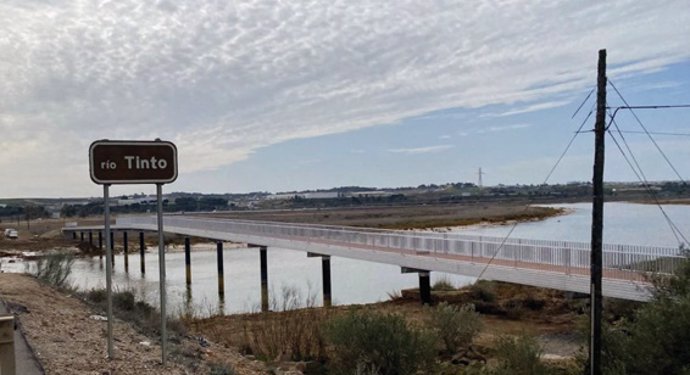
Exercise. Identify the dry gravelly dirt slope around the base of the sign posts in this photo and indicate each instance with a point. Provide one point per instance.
(67, 339)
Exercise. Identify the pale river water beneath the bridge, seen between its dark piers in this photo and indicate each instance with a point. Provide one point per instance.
(291, 275)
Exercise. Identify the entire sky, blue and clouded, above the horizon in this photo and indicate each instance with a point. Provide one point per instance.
(291, 95)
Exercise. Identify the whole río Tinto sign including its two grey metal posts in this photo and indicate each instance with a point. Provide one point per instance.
(134, 162)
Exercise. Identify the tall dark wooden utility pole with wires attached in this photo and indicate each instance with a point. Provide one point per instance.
(597, 219)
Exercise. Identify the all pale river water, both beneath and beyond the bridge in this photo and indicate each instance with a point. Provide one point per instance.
(353, 281)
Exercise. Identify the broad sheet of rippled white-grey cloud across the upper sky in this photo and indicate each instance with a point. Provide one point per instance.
(224, 79)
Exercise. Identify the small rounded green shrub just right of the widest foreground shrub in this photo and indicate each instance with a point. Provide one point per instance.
(455, 326)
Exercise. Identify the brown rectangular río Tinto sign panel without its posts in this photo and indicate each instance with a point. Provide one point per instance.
(133, 162)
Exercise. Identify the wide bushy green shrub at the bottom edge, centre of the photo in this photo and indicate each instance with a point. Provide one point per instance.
(378, 343)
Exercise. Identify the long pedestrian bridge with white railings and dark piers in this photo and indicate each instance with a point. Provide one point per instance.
(562, 265)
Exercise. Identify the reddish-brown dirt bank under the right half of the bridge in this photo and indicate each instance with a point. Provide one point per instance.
(553, 324)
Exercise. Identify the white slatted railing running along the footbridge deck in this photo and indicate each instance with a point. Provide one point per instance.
(619, 261)
